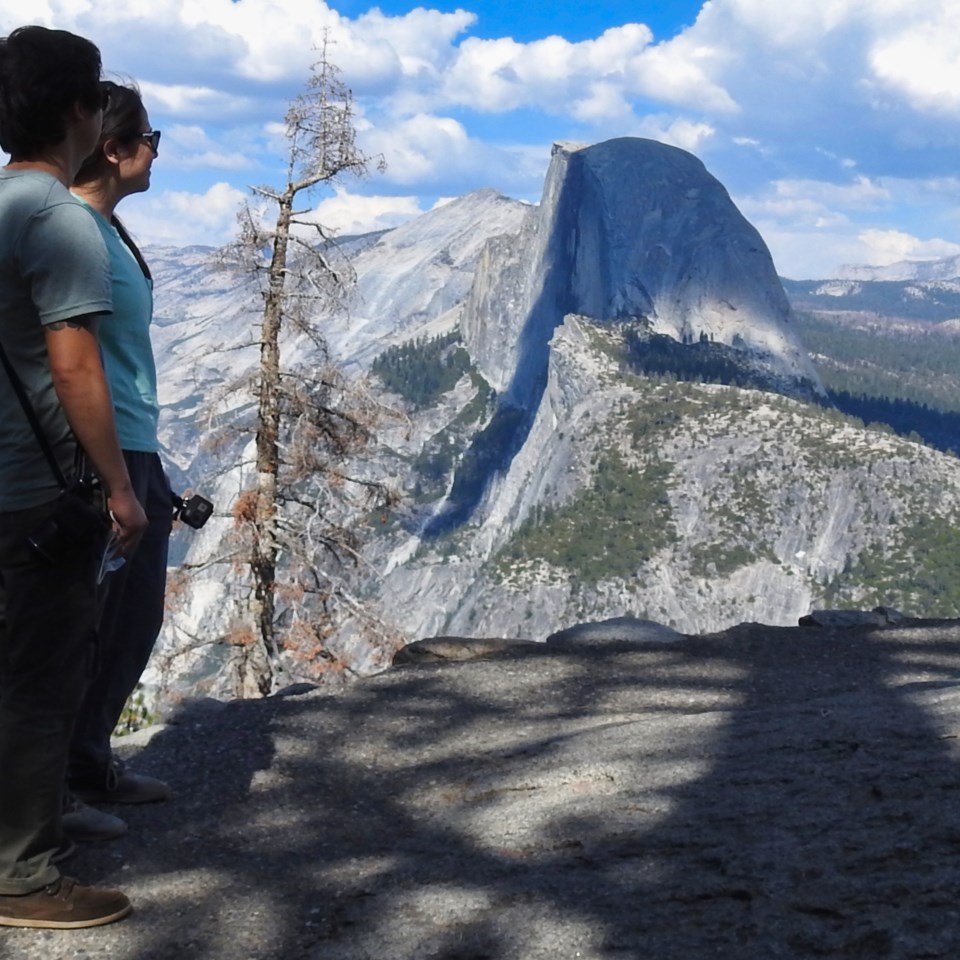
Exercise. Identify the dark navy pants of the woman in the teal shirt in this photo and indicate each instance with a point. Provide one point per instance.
(129, 625)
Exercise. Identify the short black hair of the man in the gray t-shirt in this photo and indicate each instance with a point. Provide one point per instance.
(43, 73)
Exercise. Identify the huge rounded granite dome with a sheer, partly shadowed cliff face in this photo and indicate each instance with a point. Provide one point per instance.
(630, 228)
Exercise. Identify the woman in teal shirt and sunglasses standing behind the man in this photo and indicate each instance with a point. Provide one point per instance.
(133, 610)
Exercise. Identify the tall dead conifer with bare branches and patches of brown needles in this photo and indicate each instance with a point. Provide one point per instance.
(296, 523)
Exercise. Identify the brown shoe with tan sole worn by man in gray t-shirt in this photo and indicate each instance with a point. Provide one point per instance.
(63, 904)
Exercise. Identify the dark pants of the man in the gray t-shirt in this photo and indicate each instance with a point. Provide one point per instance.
(47, 613)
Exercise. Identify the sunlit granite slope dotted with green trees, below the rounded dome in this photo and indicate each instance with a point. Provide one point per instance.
(693, 504)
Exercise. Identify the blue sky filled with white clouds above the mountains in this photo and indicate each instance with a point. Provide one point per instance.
(834, 124)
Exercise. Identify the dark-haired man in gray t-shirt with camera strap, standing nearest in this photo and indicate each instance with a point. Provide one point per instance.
(54, 282)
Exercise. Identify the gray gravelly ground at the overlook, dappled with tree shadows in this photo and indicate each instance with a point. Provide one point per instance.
(761, 793)
